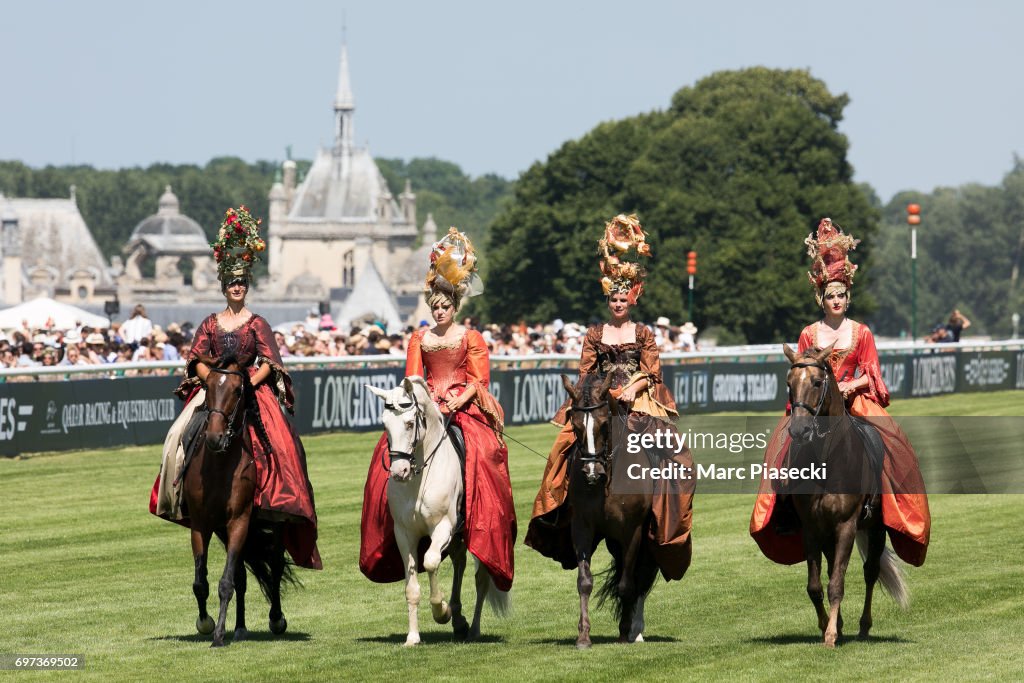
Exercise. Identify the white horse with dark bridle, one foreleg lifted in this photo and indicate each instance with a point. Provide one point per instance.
(424, 494)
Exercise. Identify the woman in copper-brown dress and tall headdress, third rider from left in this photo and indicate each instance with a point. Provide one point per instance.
(628, 353)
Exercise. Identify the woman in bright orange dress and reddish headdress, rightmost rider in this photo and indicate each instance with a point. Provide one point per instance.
(855, 362)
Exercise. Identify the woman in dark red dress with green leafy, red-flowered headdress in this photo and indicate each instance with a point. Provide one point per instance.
(284, 492)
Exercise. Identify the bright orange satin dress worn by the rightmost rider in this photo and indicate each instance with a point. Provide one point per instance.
(905, 503)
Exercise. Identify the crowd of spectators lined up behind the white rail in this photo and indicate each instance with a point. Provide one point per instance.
(138, 339)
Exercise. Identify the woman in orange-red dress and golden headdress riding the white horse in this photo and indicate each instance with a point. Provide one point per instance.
(455, 363)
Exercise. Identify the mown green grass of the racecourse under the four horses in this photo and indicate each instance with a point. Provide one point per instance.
(86, 570)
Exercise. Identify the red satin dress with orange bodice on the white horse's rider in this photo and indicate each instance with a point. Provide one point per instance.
(490, 527)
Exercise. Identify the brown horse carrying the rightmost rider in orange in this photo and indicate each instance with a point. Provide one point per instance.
(849, 504)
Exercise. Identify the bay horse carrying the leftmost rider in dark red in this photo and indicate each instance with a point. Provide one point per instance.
(219, 492)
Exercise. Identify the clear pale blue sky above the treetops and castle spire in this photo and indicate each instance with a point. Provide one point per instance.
(935, 89)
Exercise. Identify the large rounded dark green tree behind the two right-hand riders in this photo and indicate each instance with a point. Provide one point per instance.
(741, 168)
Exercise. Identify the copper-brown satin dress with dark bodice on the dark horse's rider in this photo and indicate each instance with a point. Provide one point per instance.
(549, 532)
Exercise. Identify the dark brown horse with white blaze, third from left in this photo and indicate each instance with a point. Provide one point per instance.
(621, 520)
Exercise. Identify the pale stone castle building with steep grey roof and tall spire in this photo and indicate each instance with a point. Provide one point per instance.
(342, 223)
